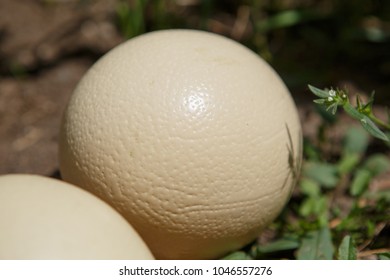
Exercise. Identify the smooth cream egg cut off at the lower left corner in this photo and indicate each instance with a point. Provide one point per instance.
(44, 218)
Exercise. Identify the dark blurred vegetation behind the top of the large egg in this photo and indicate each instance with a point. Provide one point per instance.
(323, 41)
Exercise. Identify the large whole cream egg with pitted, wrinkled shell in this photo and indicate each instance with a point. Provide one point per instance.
(186, 133)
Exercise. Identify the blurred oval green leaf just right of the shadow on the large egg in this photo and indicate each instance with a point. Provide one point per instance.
(321, 172)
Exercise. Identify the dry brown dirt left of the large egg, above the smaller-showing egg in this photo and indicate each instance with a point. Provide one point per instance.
(44, 50)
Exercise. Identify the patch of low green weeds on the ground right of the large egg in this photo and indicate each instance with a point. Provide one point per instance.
(335, 212)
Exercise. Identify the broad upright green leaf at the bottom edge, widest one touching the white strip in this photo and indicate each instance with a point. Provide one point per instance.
(316, 245)
